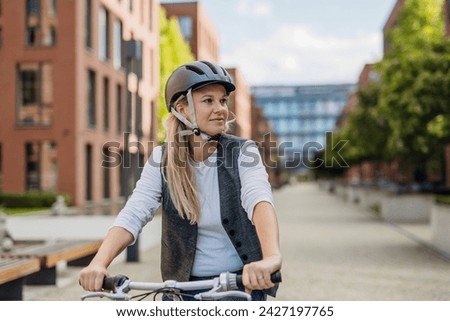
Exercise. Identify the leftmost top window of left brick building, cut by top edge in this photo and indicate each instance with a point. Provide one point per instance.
(41, 22)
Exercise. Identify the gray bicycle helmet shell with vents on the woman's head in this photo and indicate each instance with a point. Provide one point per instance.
(195, 75)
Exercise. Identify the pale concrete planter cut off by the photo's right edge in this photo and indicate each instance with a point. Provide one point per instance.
(440, 227)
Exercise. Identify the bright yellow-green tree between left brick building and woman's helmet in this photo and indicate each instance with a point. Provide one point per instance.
(174, 51)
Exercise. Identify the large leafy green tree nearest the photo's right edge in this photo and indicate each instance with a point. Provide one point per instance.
(415, 78)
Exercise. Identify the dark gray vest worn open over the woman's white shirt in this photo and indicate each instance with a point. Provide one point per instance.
(179, 237)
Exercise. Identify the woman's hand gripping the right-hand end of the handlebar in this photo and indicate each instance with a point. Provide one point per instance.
(256, 275)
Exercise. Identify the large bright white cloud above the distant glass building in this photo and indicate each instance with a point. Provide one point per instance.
(295, 54)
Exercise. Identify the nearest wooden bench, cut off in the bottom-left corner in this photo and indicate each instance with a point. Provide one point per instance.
(13, 272)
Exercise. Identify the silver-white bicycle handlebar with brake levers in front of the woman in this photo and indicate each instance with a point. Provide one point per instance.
(224, 286)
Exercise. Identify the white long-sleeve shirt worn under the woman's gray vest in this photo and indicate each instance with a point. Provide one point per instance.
(214, 253)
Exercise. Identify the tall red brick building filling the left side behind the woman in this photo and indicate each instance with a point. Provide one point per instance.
(75, 75)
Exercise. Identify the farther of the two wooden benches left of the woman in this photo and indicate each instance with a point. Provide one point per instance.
(74, 253)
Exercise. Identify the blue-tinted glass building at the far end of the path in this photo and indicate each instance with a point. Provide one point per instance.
(301, 116)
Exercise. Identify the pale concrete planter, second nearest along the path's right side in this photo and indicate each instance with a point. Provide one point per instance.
(409, 208)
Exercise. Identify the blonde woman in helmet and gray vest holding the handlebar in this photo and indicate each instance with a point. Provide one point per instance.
(217, 203)
